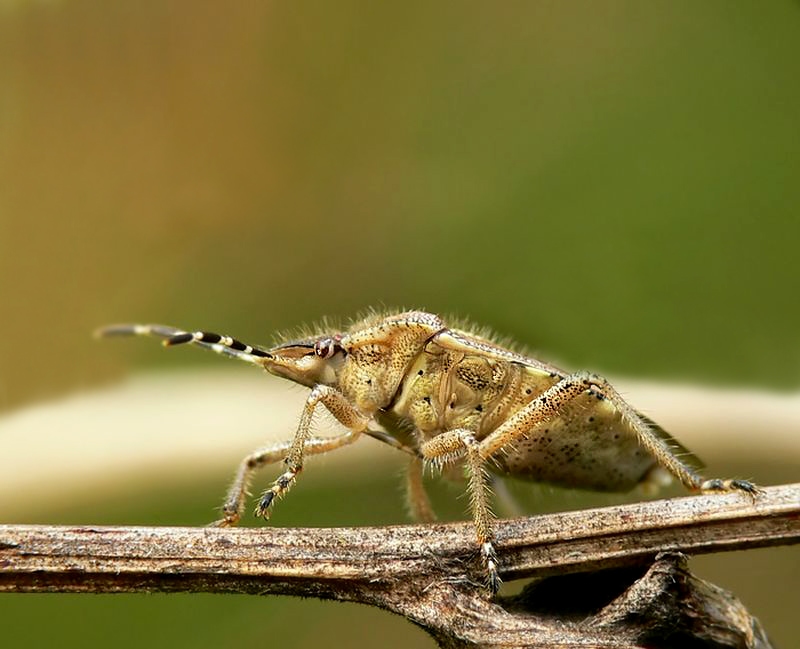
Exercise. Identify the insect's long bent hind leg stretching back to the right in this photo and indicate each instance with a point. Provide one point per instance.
(552, 401)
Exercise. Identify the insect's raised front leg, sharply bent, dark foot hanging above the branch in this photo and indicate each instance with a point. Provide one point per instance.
(338, 405)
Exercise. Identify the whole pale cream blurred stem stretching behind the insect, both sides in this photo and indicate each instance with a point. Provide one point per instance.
(159, 428)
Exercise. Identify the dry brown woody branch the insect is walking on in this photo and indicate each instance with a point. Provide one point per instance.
(427, 573)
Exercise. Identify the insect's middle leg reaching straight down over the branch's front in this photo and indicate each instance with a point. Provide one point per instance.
(448, 446)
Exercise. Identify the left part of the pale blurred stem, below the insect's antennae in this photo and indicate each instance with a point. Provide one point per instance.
(152, 430)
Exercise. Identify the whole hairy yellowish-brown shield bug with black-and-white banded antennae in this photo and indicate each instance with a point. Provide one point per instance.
(453, 399)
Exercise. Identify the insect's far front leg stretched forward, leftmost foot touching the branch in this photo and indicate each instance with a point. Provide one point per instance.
(233, 507)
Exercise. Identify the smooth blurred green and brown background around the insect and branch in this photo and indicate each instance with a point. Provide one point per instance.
(613, 183)
